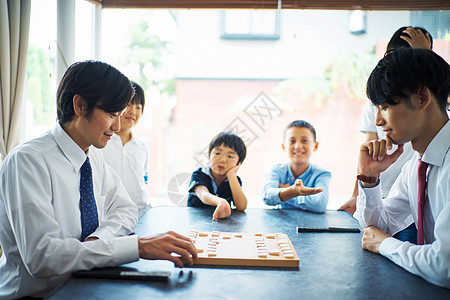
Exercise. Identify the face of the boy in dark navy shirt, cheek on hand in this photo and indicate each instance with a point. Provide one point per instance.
(222, 159)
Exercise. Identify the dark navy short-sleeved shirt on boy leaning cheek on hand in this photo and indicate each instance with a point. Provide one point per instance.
(200, 178)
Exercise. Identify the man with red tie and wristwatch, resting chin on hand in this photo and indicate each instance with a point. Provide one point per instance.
(410, 88)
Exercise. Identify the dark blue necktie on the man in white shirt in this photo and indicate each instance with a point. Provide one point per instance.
(88, 208)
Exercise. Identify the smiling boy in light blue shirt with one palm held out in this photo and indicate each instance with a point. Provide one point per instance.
(298, 184)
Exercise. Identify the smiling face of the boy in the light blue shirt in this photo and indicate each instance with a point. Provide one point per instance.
(299, 144)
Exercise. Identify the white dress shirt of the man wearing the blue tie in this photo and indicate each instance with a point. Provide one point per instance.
(40, 225)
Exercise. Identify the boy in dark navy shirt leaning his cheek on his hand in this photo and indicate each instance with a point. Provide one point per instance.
(217, 184)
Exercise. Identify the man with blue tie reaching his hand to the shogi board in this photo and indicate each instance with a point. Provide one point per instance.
(40, 219)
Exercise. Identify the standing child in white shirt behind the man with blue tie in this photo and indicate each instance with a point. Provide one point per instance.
(128, 155)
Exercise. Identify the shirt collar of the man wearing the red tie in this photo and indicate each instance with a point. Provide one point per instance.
(438, 147)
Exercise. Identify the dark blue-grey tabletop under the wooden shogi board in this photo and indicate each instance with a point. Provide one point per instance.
(332, 265)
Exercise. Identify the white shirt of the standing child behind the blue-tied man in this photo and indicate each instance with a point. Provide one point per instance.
(131, 163)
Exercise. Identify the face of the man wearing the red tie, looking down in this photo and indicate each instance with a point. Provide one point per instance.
(400, 122)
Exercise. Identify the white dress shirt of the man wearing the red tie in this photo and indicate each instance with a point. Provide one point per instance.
(432, 260)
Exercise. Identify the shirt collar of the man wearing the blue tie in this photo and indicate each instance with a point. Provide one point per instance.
(70, 149)
